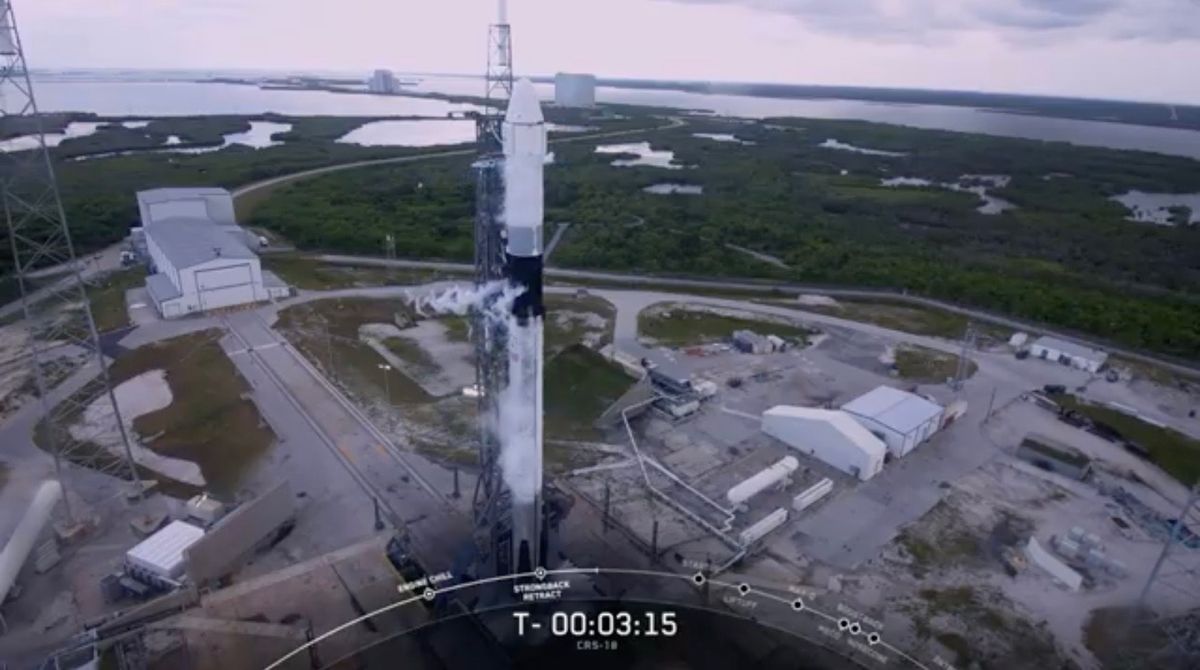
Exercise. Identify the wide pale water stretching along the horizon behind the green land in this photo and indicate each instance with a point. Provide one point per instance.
(165, 99)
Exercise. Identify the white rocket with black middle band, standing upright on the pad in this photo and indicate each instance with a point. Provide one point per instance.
(521, 404)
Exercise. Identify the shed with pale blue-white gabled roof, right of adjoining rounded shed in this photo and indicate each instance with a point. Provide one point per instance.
(902, 420)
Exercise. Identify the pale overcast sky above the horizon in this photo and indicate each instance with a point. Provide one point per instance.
(1130, 50)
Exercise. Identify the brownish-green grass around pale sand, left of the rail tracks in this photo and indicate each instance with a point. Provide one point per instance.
(209, 422)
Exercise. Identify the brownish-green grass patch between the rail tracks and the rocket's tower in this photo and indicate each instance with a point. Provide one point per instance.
(327, 333)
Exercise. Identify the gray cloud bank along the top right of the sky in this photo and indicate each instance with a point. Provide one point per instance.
(1018, 20)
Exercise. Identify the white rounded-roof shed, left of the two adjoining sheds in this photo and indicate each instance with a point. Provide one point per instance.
(829, 435)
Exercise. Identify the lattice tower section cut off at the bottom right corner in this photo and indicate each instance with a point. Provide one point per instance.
(1162, 633)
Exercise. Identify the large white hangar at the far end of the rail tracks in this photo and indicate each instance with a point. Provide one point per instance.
(197, 260)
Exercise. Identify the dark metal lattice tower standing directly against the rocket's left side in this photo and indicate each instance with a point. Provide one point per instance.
(491, 504)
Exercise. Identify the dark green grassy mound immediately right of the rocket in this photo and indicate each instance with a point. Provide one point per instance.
(580, 386)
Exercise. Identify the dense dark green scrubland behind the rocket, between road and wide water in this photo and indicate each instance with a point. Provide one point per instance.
(1066, 258)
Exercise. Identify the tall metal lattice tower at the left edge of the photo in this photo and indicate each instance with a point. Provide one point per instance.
(63, 337)
